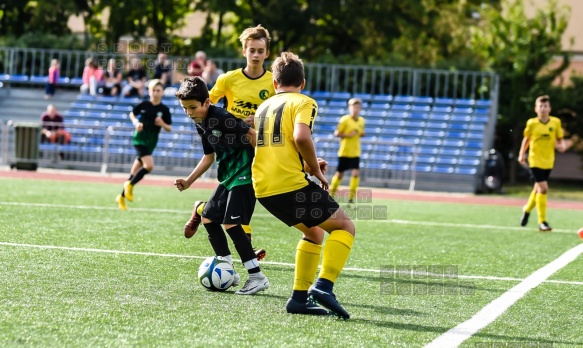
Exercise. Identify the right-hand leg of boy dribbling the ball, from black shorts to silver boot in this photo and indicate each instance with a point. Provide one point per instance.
(239, 209)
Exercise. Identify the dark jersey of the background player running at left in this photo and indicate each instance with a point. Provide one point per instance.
(146, 112)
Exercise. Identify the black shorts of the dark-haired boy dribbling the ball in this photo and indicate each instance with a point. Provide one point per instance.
(233, 207)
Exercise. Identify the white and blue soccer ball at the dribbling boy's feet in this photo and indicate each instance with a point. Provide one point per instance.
(216, 273)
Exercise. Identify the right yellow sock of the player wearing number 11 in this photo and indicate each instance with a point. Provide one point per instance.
(336, 251)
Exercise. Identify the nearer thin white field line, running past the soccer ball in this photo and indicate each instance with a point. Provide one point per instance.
(291, 265)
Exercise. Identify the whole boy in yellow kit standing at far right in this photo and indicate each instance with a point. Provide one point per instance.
(542, 134)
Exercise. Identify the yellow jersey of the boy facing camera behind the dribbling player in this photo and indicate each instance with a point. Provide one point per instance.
(244, 94)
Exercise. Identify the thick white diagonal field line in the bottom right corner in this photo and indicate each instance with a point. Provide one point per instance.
(457, 335)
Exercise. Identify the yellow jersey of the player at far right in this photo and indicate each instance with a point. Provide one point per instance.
(543, 137)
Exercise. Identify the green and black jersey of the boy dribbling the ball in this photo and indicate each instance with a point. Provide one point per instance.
(224, 135)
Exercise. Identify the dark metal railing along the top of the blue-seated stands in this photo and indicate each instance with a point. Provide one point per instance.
(364, 79)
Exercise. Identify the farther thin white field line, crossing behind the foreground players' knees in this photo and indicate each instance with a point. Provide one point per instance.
(391, 221)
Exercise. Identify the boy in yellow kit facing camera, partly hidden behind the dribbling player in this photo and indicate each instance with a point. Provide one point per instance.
(245, 89)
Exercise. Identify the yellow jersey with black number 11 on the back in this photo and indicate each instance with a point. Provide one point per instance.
(278, 166)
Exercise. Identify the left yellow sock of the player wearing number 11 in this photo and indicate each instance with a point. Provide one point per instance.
(307, 260)
